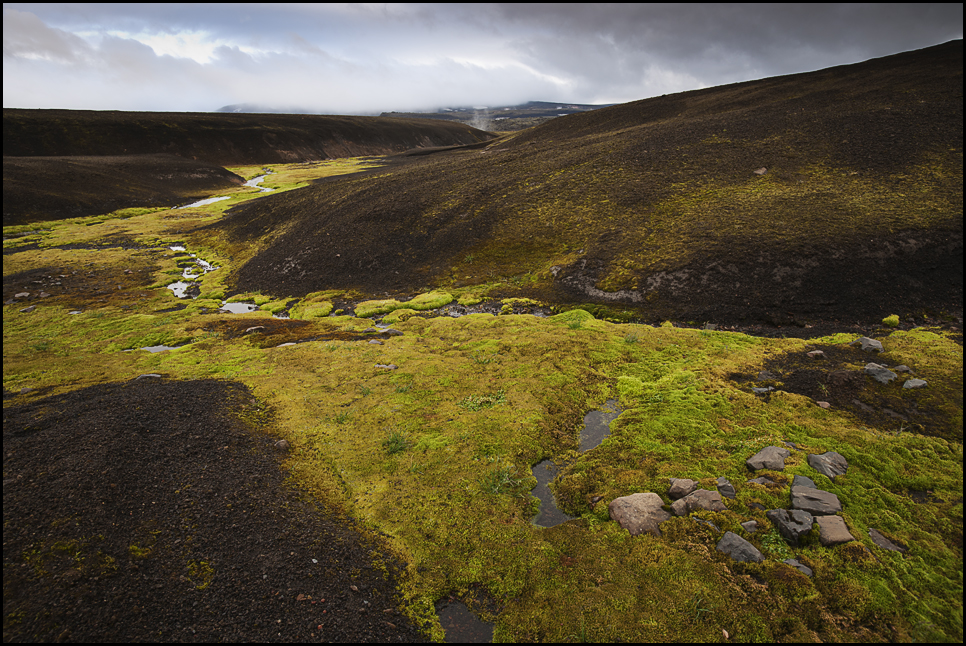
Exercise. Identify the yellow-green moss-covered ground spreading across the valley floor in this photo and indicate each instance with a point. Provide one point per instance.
(437, 454)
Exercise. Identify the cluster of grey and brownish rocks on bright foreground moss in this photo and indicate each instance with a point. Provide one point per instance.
(644, 512)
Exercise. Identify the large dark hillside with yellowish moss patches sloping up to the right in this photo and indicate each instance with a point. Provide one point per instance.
(835, 193)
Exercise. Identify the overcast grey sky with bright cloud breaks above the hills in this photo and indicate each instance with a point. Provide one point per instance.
(361, 59)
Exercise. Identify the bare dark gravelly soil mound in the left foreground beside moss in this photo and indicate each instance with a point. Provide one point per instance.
(153, 511)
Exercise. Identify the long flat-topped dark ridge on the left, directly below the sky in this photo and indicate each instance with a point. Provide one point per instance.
(223, 139)
